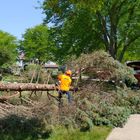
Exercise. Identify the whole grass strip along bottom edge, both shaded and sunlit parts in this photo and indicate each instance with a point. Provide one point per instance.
(98, 133)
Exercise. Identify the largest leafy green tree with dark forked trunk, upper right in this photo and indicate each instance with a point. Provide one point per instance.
(80, 29)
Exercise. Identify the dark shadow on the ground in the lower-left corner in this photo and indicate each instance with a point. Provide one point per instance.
(20, 128)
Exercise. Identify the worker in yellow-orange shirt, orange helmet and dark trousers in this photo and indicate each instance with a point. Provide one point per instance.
(64, 85)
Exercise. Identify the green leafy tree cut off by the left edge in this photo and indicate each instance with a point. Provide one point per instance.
(8, 46)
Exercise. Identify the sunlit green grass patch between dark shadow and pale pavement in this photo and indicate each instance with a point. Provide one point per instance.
(97, 133)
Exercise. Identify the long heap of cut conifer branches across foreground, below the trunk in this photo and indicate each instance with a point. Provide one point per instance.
(92, 105)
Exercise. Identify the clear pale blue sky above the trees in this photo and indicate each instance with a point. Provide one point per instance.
(18, 15)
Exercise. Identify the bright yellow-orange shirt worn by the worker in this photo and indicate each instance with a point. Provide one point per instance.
(65, 82)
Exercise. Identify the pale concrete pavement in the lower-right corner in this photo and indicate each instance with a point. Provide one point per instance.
(131, 130)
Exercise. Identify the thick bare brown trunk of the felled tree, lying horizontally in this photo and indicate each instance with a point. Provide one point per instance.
(26, 87)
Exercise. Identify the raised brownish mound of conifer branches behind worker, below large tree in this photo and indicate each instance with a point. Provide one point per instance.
(101, 65)
